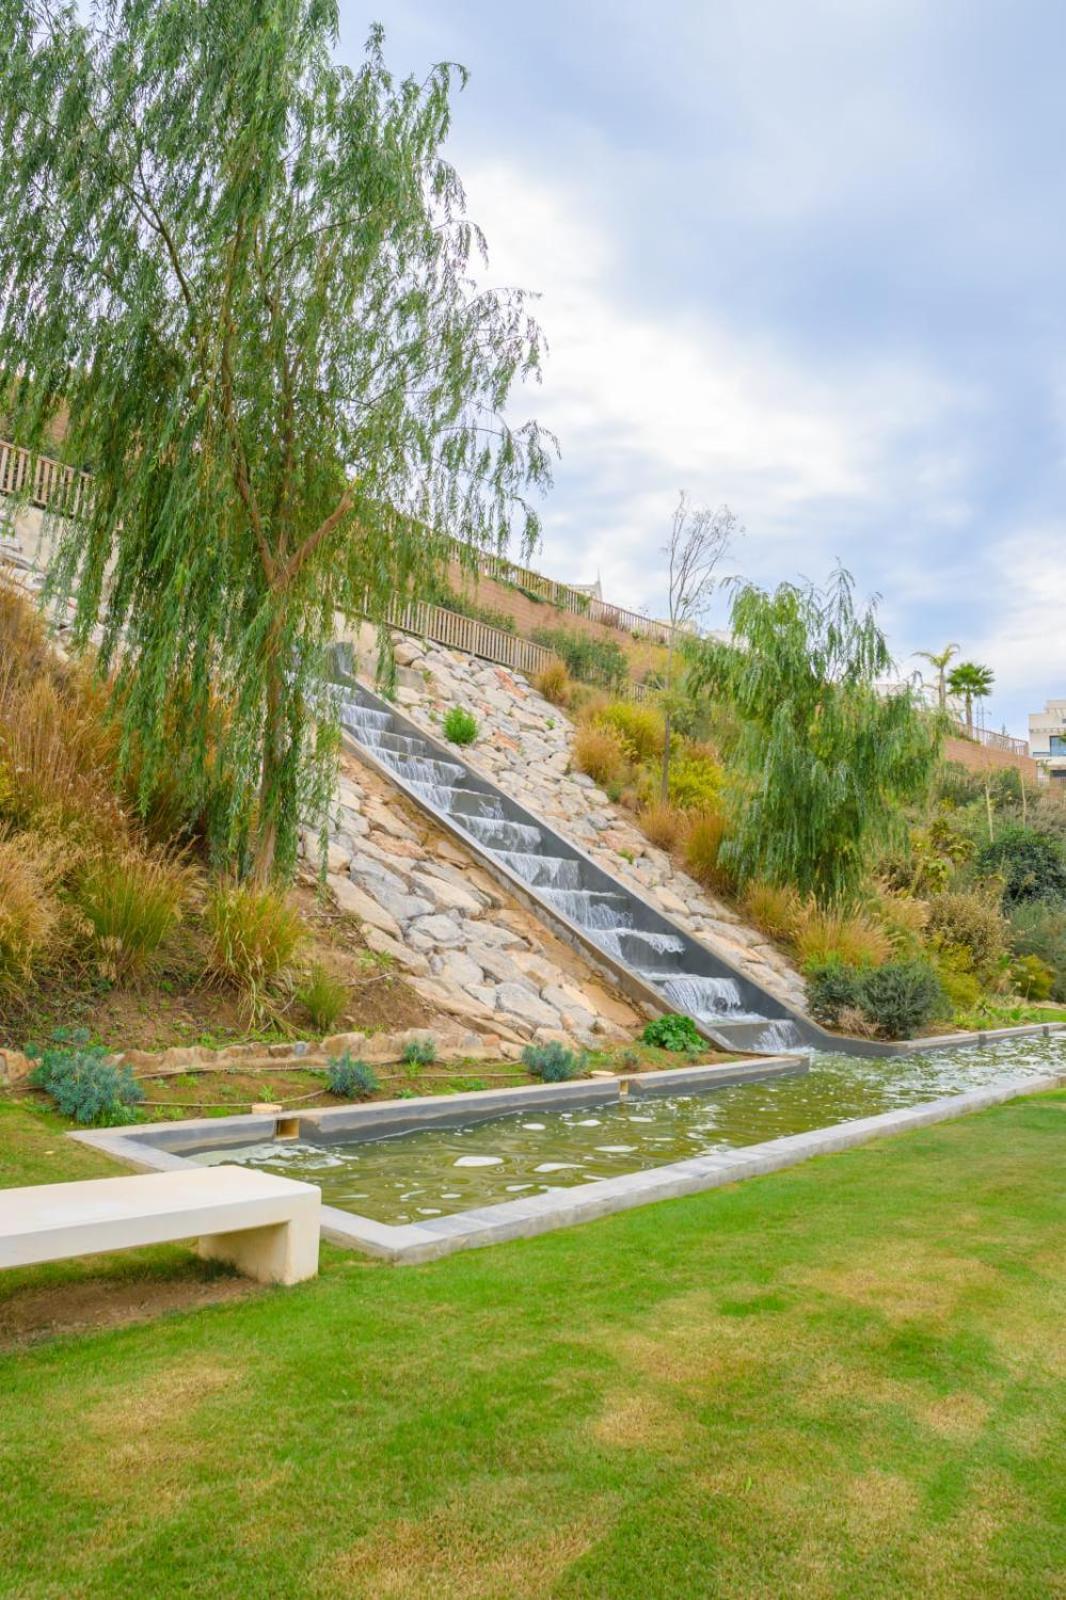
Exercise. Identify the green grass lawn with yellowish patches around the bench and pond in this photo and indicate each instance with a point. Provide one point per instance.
(848, 1380)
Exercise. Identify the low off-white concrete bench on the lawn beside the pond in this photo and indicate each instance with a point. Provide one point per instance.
(266, 1226)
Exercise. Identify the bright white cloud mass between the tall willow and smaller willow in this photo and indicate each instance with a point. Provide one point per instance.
(646, 406)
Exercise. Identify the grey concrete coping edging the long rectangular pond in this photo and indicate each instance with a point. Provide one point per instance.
(156, 1146)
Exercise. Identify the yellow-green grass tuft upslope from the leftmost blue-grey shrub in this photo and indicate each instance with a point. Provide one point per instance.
(130, 905)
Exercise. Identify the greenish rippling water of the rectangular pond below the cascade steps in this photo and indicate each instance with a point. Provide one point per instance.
(422, 1175)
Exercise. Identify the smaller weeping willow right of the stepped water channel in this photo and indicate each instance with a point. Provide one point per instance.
(825, 759)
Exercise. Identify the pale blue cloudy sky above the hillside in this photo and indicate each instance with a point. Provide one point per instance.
(808, 260)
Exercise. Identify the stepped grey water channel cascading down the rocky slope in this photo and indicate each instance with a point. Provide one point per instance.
(655, 961)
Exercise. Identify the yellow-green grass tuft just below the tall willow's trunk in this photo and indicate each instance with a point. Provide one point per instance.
(254, 940)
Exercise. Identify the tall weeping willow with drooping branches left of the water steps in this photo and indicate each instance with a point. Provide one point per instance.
(242, 273)
